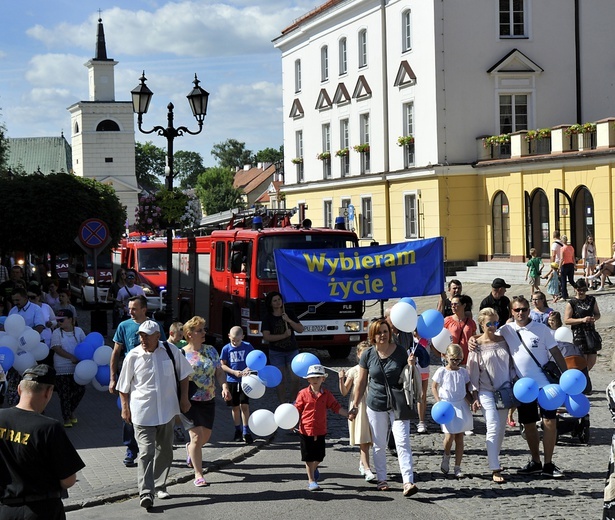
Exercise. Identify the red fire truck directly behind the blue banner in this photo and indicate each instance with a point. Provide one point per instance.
(226, 275)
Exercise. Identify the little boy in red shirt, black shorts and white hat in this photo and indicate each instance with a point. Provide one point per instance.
(313, 403)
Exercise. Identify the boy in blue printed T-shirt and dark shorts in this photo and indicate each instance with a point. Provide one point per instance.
(233, 362)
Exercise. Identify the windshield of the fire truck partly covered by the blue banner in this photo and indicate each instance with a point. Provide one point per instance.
(265, 267)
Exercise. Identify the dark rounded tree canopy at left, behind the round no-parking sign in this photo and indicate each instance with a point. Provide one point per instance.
(43, 213)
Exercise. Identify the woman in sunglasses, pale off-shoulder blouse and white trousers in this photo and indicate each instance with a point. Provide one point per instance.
(490, 366)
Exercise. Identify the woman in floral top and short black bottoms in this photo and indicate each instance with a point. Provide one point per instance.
(202, 391)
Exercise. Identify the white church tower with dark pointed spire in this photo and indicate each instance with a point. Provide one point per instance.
(103, 132)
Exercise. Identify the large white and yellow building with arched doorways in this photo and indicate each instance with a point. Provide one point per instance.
(387, 103)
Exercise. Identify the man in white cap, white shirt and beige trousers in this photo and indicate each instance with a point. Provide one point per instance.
(151, 379)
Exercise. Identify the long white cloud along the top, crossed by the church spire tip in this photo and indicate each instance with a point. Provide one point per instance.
(187, 28)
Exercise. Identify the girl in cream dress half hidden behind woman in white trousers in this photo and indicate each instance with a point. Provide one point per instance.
(359, 431)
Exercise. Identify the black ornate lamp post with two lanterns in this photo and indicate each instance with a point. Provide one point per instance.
(141, 97)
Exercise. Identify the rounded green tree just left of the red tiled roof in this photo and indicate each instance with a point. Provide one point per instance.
(216, 191)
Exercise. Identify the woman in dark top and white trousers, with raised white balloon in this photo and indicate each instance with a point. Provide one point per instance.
(383, 365)
